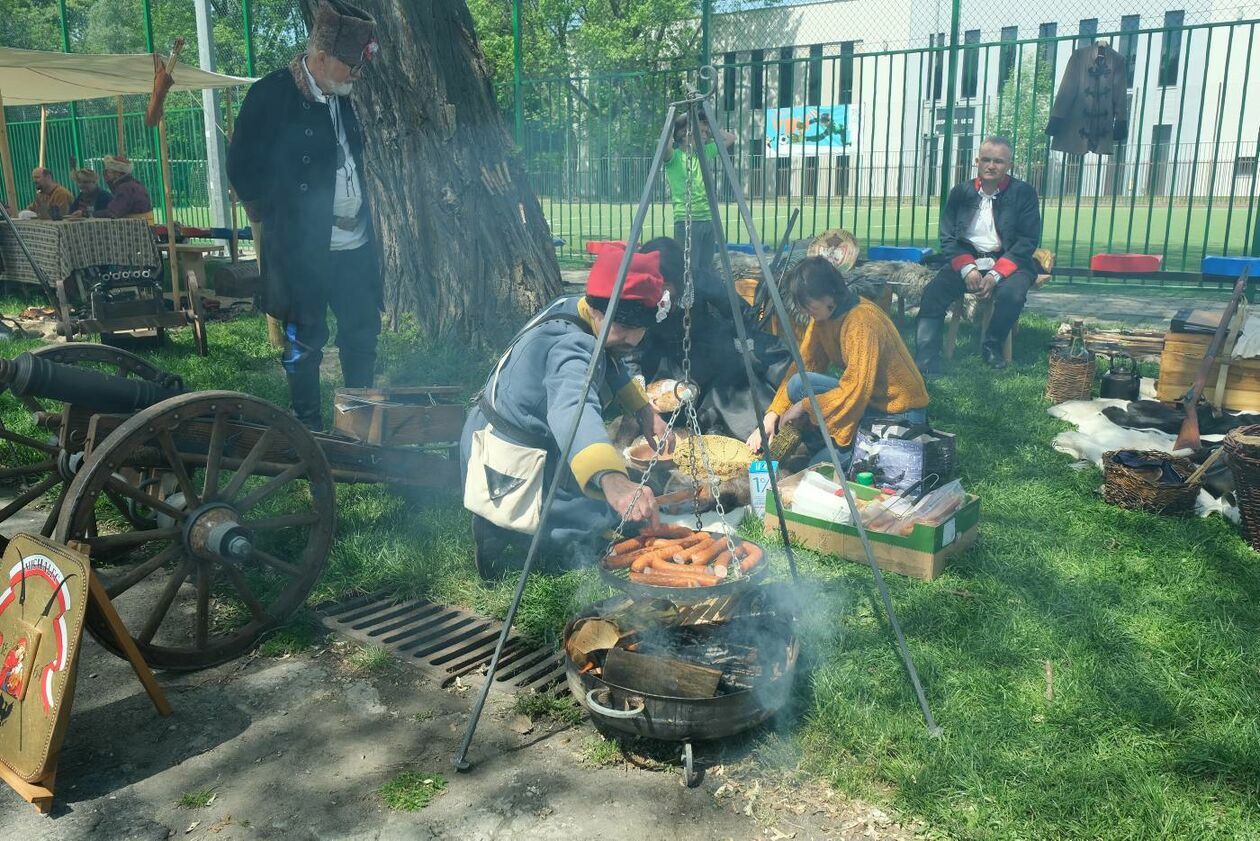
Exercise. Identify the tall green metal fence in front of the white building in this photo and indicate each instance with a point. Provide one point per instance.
(1183, 186)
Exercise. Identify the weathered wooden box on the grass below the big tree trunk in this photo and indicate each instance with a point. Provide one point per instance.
(396, 417)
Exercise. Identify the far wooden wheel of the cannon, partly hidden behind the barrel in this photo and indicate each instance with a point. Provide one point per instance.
(40, 455)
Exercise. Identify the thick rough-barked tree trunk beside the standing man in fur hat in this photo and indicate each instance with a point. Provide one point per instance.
(464, 243)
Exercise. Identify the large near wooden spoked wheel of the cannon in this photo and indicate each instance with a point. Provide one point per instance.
(239, 544)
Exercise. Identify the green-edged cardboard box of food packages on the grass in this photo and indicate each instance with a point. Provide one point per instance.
(923, 554)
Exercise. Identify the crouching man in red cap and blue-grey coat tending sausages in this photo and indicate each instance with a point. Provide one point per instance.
(513, 438)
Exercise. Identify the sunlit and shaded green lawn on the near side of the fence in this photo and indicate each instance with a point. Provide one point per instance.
(1150, 625)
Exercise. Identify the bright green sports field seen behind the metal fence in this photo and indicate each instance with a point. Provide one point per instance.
(1075, 234)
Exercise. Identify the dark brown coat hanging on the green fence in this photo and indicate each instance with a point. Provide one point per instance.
(1092, 109)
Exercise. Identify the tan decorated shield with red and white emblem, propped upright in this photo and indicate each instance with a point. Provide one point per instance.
(43, 598)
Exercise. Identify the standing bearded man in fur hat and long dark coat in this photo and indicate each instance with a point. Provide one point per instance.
(297, 163)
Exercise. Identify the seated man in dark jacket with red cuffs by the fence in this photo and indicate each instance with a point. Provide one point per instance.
(990, 229)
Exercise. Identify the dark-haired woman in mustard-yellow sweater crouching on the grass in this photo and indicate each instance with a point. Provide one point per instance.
(879, 379)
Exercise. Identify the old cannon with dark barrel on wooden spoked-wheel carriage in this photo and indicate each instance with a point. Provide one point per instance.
(209, 515)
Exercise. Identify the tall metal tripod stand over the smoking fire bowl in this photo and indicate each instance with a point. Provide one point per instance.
(699, 109)
